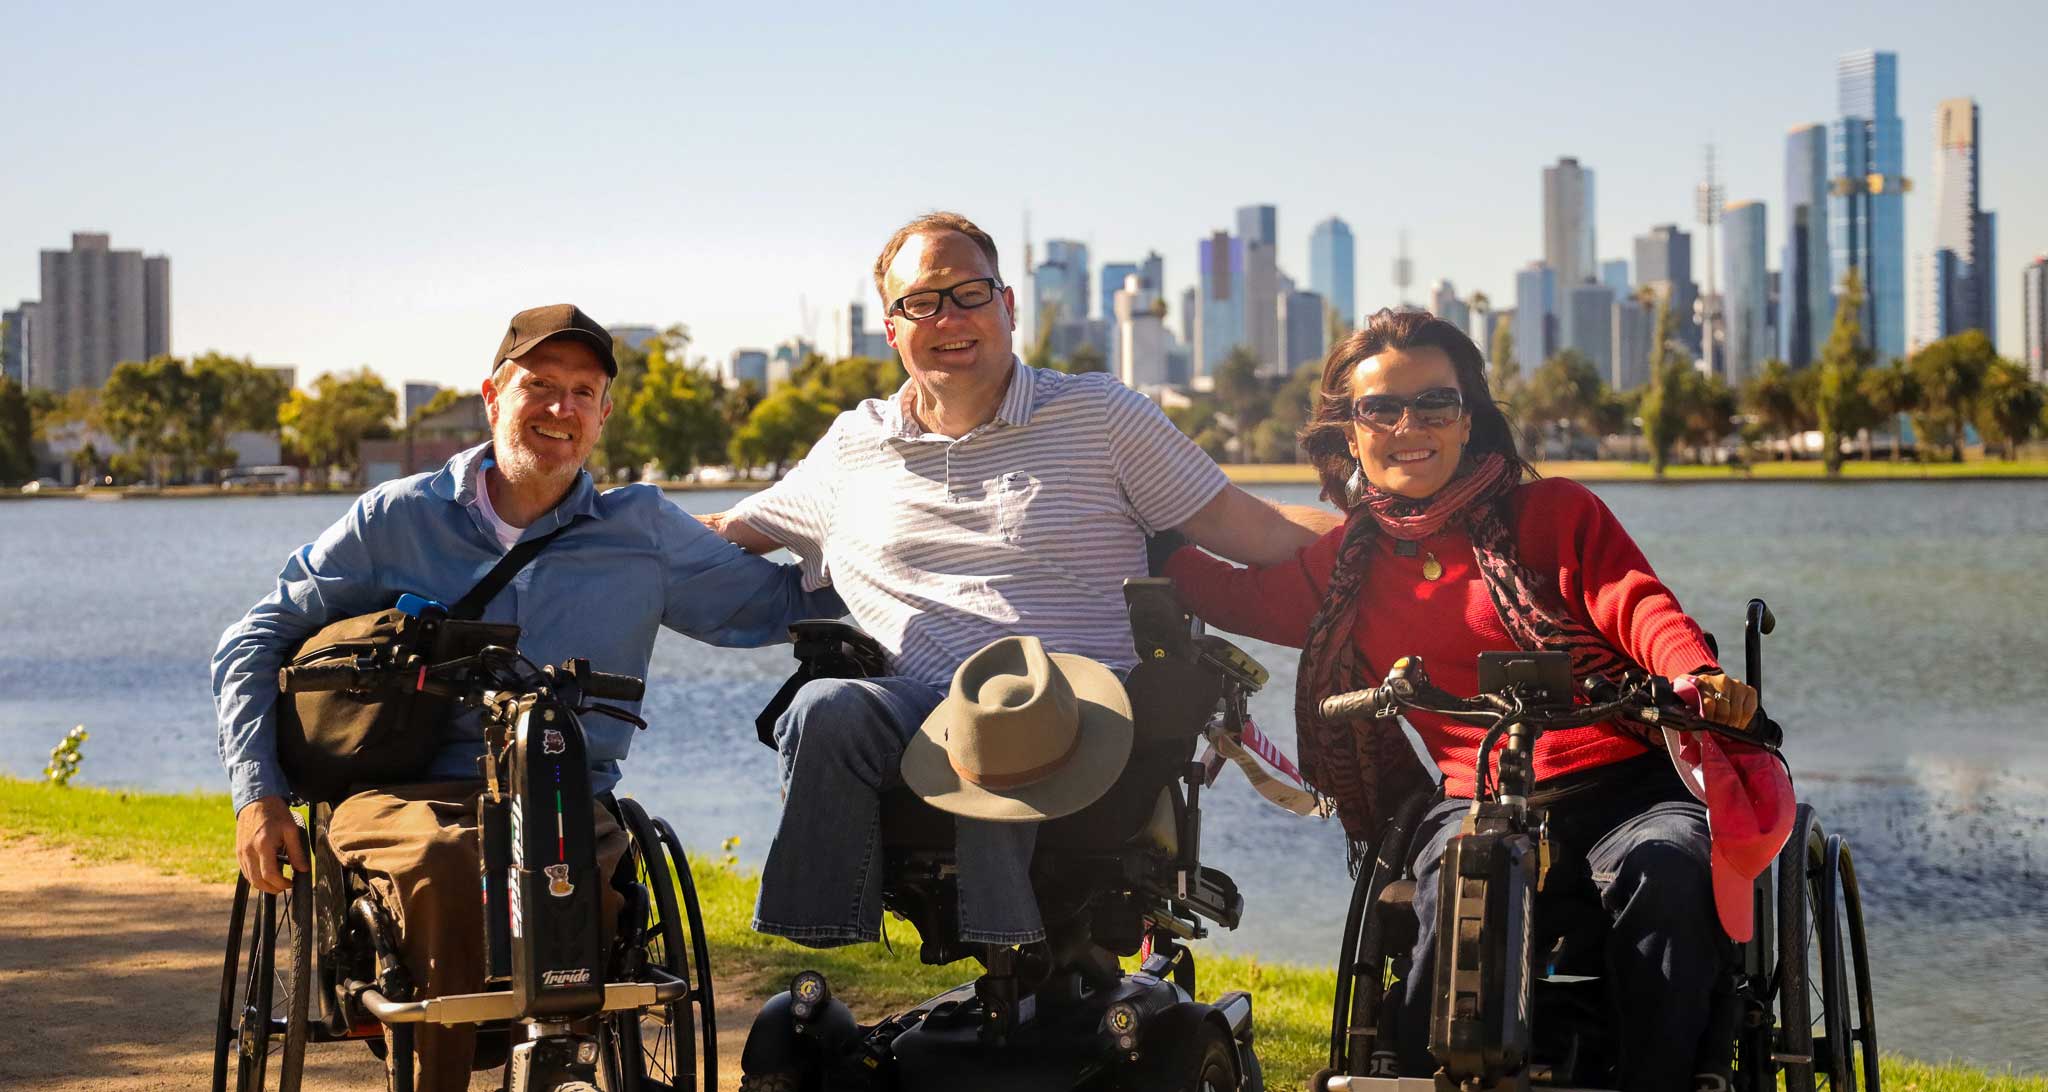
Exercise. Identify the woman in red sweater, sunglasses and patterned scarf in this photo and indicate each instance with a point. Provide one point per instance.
(1449, 552)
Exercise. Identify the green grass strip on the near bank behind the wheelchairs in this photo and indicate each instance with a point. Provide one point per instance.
(191, 835)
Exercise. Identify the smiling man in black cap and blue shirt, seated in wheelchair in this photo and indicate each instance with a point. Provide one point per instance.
(628, 564)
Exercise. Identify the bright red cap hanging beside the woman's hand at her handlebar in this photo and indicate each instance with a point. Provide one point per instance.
(1750, 808)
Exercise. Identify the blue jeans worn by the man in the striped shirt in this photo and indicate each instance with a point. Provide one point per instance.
(841, 745)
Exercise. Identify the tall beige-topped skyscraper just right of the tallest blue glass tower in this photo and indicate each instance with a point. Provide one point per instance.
(1959, 290)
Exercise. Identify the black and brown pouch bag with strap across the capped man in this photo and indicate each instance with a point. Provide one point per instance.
(333, 743)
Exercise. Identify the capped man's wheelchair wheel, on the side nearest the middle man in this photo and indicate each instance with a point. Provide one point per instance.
(671, 1046)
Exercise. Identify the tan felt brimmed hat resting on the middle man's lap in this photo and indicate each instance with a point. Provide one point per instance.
(1025, 734)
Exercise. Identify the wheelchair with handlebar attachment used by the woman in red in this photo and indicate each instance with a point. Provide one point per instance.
(1506, 1017)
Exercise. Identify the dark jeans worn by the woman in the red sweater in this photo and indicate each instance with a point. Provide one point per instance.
(1639, 859)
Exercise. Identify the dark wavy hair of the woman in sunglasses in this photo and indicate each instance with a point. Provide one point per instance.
(1330, 421)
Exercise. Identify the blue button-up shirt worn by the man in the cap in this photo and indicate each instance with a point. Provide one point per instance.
(630, 564)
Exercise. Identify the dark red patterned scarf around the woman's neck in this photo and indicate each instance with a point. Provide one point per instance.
(1371, 769)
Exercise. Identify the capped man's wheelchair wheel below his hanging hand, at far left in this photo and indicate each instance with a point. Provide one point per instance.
(261, 1019)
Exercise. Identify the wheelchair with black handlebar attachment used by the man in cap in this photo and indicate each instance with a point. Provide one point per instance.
(318, 964)
